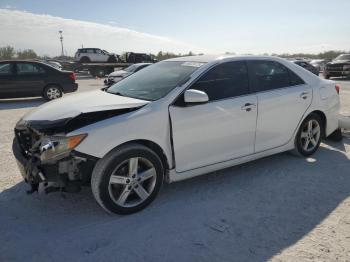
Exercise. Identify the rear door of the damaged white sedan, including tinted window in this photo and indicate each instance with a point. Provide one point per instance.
(283, 98)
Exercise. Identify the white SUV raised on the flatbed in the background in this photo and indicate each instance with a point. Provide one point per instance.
(88, 55)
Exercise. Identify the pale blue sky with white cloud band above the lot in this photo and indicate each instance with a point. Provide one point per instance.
(250, 26)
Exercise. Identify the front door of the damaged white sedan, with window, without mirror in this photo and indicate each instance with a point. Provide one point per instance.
(223, 128)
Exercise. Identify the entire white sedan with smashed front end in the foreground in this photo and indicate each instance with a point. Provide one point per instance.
(174, 120)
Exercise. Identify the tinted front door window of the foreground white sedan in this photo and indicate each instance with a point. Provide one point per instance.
(224, 81)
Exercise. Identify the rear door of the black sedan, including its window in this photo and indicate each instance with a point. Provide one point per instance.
(30, 78)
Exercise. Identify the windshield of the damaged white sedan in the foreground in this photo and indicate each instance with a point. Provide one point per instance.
(155, 81)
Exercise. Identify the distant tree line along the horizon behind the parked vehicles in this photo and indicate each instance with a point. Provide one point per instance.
(9, 52)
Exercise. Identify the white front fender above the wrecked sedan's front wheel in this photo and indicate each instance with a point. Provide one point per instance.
(138, 125)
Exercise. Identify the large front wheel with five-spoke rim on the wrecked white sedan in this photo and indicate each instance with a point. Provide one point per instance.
(121, 188)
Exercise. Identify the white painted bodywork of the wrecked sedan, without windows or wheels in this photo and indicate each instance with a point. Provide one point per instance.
(192, 147)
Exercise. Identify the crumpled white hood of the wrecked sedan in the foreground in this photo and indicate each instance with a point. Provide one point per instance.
(85, 102)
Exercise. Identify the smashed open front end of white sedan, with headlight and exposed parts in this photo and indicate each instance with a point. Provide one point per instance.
(46, 156)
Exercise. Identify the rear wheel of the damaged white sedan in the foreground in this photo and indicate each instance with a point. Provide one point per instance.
(308, 140)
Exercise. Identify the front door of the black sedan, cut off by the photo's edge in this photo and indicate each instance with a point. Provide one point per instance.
(7, 80)
